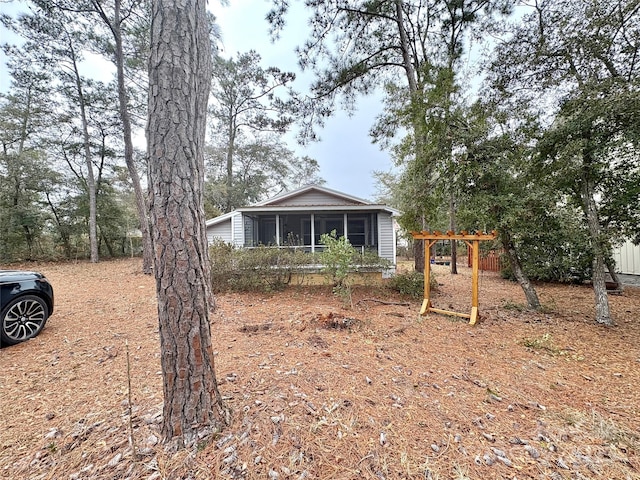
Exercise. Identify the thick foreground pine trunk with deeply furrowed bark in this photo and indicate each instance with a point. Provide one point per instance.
(179, 80)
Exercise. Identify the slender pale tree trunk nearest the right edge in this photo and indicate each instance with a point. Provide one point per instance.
(603, 315)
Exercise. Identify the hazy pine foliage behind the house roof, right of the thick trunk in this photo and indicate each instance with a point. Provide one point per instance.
(250, 109)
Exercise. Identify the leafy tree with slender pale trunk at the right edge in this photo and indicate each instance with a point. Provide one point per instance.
(574, 64)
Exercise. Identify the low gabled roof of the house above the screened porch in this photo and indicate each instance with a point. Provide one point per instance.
(310, 197)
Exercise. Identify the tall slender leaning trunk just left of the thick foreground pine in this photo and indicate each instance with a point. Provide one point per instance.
(141, 206)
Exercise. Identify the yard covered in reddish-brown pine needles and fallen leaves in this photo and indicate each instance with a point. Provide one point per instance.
(320, 391)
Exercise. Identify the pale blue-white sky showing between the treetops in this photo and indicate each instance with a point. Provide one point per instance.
(346, 156)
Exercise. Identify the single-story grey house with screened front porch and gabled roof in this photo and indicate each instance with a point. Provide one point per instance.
(298, 218)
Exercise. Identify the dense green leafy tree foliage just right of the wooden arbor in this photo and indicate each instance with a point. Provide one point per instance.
(501, 188)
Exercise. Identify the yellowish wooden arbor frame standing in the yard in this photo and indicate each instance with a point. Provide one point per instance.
(473, 242)
